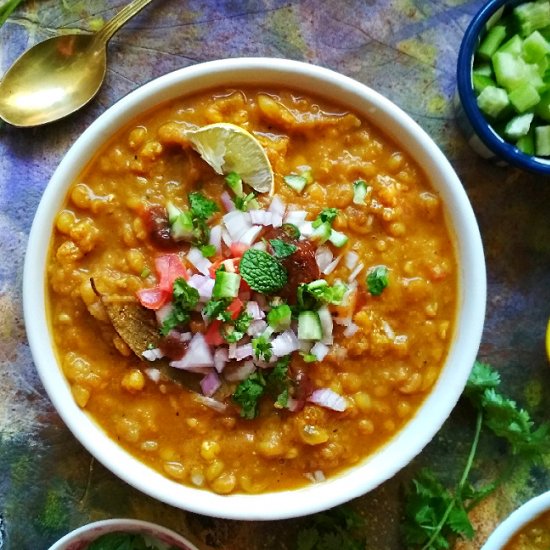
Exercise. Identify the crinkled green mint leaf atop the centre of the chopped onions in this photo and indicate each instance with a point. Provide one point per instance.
(262, 272)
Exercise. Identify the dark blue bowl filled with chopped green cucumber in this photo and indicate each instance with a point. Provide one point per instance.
(503, 83)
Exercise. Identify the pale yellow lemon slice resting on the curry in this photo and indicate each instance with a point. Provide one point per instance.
(229, 148)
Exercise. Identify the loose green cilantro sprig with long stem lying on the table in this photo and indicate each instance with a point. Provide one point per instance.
(435, 514)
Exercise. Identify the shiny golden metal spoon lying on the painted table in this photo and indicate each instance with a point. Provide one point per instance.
(60, 75)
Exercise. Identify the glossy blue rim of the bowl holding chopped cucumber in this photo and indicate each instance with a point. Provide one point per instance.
(503, 149)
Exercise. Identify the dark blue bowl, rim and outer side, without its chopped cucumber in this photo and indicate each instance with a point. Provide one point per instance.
(481, 136)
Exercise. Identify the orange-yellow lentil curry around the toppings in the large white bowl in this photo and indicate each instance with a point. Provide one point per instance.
(385, 370)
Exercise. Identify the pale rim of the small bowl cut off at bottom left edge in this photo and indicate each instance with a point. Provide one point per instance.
(80, 538)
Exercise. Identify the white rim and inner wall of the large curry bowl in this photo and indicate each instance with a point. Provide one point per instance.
(471, 301)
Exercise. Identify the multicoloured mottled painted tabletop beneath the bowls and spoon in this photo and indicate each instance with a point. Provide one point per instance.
(405, 49)
